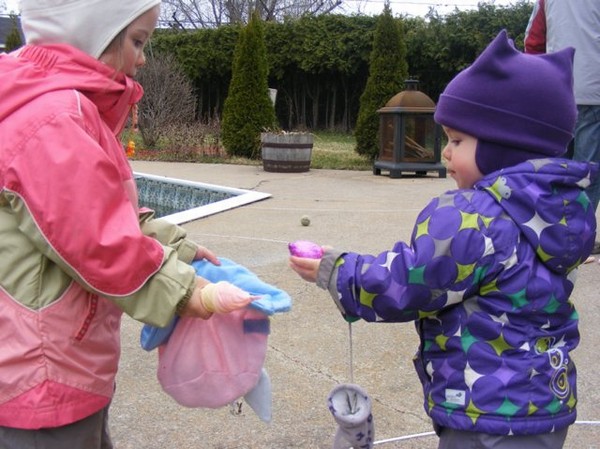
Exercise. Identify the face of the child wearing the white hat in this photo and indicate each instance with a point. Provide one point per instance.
(127, 53)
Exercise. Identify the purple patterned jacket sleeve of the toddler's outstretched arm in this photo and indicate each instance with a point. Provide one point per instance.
(440, 267)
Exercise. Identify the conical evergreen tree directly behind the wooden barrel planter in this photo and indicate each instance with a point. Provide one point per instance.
(248, 109)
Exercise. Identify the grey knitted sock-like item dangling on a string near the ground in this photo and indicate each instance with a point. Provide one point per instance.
(351, 408)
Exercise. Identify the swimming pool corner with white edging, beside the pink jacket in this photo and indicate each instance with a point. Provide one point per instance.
(180, 201)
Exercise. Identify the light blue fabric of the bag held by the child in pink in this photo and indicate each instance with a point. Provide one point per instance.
(272, 299)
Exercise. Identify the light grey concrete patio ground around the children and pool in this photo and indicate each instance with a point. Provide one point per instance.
(308, 350)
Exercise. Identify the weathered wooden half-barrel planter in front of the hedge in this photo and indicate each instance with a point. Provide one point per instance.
(286, 153)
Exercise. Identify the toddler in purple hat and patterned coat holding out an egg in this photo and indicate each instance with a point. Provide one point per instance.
(489, 270)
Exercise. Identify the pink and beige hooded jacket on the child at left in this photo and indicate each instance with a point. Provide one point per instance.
(74, 251)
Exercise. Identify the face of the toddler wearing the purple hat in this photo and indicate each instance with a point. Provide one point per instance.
(459, 154)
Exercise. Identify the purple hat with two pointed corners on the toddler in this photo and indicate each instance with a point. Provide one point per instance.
(519, 106)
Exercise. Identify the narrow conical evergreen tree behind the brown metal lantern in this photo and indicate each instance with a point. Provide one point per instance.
(387, 71)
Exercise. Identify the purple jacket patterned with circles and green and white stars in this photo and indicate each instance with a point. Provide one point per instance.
(487, 280)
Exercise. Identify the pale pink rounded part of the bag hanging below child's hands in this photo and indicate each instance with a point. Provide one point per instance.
(211, 363)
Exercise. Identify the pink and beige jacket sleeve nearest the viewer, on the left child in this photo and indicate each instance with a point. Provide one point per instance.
(82, 219)
